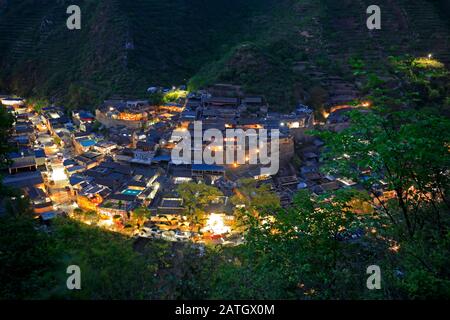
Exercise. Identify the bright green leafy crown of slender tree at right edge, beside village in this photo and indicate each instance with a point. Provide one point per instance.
(407, 150)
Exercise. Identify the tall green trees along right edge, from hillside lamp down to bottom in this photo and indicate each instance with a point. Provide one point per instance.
(399, 153)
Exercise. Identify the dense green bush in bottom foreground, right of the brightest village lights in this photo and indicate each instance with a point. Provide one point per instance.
(295, 254)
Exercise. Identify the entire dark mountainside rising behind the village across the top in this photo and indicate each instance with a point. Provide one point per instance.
(290, 50)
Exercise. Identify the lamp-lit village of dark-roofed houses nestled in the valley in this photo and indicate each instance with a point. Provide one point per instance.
(114, 168)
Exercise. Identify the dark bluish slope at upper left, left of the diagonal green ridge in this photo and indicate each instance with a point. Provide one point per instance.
(122, 48)
